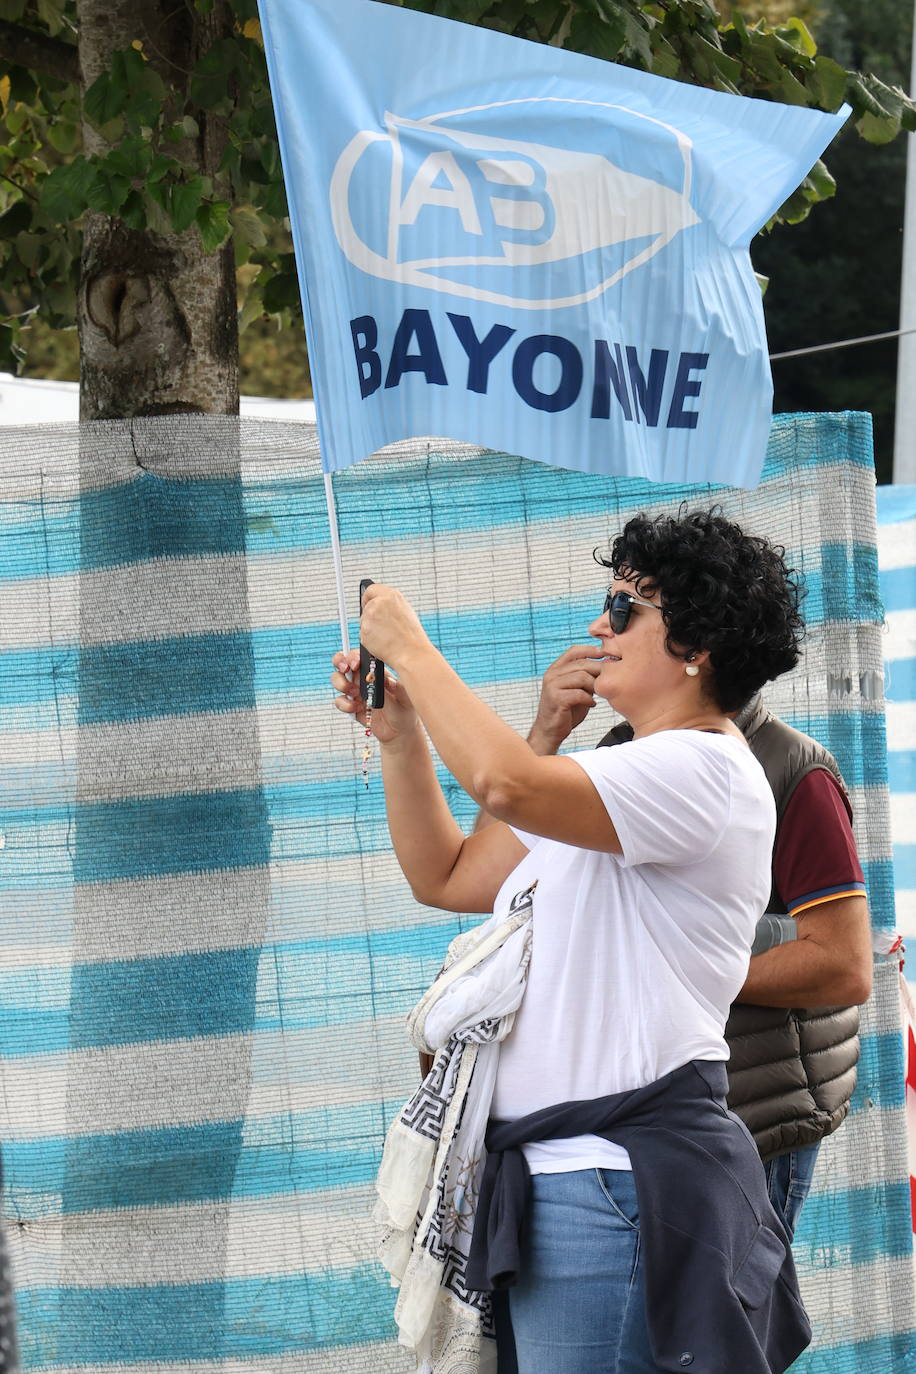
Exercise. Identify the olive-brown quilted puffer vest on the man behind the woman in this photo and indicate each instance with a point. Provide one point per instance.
(792, 1071)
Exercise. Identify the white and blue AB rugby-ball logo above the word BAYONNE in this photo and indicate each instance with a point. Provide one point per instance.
(518, 223)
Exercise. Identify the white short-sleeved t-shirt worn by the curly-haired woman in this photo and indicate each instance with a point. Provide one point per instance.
(637, 958)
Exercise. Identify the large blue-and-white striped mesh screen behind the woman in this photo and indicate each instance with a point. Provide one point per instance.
(207, 949)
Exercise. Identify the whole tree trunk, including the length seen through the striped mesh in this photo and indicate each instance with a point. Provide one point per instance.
(171, 835)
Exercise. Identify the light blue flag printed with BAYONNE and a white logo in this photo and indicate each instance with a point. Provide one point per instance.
(527, 249)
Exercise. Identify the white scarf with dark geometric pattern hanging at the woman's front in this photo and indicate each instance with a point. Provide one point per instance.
(435, 1152)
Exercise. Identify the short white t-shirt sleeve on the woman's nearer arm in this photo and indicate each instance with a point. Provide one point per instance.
(668, 796)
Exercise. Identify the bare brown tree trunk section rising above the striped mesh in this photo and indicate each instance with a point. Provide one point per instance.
(157, 315)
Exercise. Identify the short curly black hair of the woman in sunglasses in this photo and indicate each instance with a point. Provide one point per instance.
(722, 590)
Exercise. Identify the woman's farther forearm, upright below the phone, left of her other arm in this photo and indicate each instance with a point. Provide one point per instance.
(426, 837)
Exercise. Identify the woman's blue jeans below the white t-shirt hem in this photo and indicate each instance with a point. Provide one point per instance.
(579, 1306)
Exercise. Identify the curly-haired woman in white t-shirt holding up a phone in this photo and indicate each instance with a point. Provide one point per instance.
(653, 866)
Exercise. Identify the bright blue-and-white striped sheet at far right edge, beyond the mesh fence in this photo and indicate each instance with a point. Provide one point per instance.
(897, 563)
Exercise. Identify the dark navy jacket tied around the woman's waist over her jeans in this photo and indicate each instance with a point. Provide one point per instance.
(722, 1291)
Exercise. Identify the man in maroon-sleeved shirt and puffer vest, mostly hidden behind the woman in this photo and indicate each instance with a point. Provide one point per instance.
(793, 1033)
